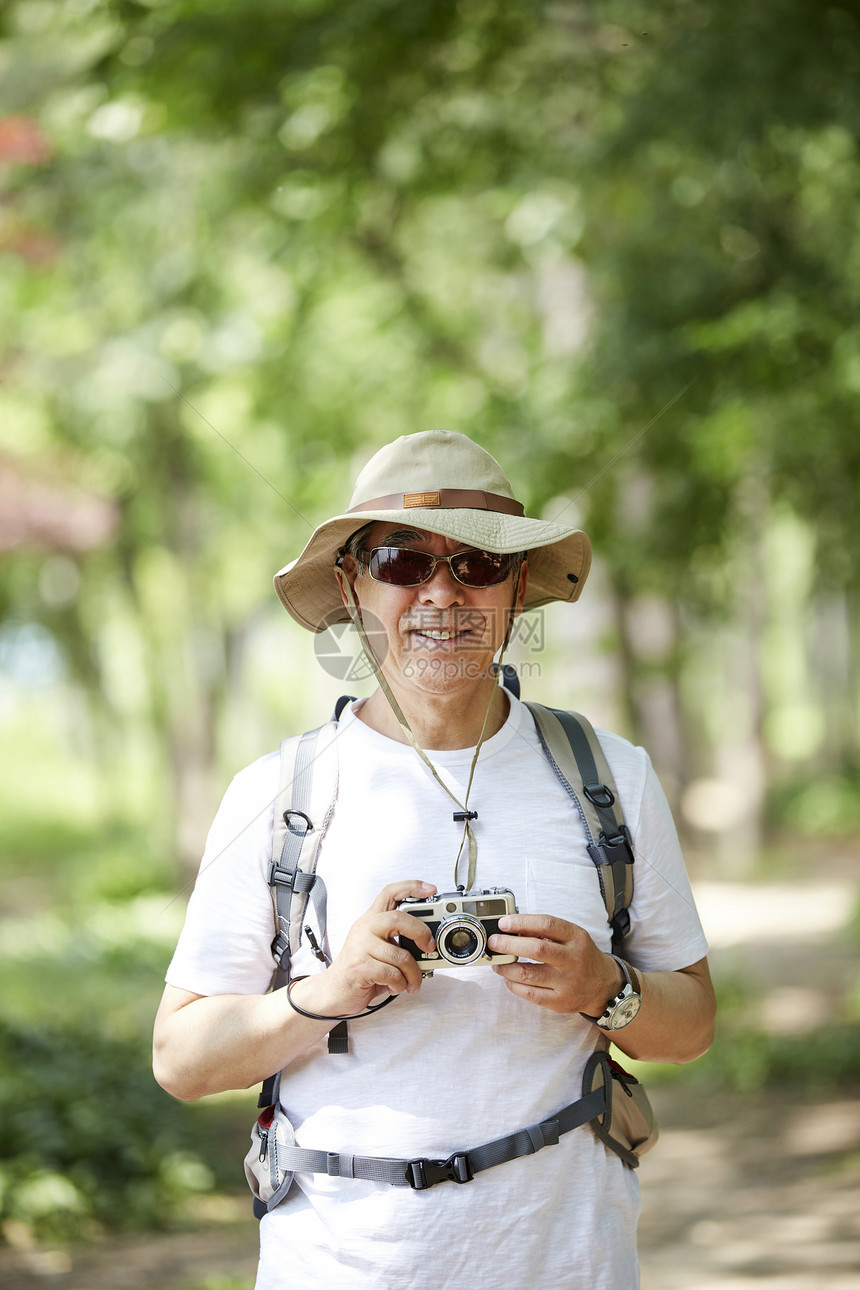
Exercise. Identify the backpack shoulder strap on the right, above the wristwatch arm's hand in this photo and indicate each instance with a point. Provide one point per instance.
(578, 759)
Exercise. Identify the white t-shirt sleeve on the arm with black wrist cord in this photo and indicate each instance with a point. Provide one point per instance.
(225, 948)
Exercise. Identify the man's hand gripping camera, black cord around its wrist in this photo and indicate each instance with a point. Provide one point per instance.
(372, 964)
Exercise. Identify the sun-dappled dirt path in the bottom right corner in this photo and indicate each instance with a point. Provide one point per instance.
(764, 1194)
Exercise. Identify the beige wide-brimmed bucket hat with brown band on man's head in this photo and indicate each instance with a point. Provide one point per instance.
(444, 483)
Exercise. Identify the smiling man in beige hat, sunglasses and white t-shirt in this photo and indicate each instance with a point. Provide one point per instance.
(436, 554)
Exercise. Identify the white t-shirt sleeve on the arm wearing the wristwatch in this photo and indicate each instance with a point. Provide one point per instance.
(666, 931)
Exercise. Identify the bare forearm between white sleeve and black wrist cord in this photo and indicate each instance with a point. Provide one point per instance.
(210, 1044)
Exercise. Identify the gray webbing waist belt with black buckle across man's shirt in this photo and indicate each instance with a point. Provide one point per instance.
(460, 1168)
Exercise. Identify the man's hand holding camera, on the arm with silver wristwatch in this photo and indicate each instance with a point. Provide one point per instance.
(567, 975)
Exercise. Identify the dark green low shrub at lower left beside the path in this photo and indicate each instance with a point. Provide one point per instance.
(88, 1141)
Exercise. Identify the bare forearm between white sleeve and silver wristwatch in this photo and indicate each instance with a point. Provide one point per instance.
(676, 1020)
